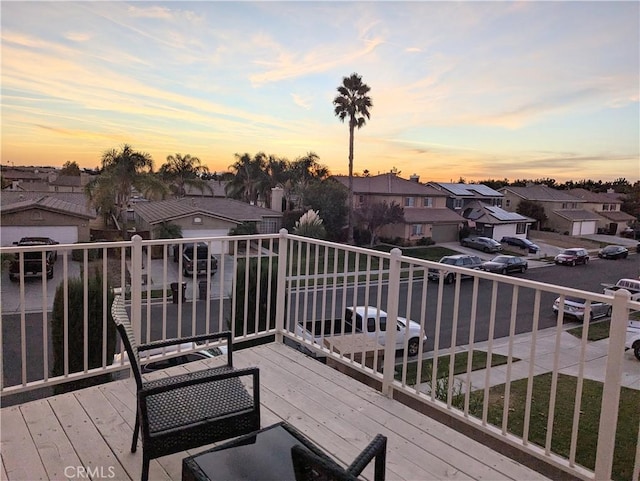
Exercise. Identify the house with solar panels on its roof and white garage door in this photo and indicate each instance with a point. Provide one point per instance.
(495, 222)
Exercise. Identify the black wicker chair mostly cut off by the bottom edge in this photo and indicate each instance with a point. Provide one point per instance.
(310, 466)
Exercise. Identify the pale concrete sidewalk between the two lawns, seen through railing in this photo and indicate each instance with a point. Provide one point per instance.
(569, 357)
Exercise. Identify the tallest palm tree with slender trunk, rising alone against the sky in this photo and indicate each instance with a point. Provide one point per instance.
(353, 103)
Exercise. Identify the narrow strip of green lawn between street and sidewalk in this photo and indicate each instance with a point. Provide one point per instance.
(478, 361)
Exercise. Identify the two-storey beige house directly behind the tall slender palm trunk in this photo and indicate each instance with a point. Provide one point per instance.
(425, 210)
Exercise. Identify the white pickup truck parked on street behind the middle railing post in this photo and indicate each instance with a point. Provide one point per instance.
(366, 320)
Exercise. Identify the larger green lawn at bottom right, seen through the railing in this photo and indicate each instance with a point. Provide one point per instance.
(627, 429)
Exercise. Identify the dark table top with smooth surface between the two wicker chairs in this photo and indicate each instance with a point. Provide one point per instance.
(264, 455)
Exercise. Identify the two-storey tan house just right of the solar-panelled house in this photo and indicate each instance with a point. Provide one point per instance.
(565, 213)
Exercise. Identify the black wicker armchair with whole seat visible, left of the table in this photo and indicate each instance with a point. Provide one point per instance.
(189, 410)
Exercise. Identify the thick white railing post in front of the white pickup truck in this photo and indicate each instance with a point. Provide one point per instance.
(393, 294)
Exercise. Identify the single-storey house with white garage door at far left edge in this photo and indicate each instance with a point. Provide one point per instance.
(65, 218)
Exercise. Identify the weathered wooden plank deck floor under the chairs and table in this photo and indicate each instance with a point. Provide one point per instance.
(57, 437)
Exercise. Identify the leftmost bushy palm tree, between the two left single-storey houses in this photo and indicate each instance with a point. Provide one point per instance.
(122, 171)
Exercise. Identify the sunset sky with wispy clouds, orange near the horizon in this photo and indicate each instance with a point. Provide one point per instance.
(468, 89)
